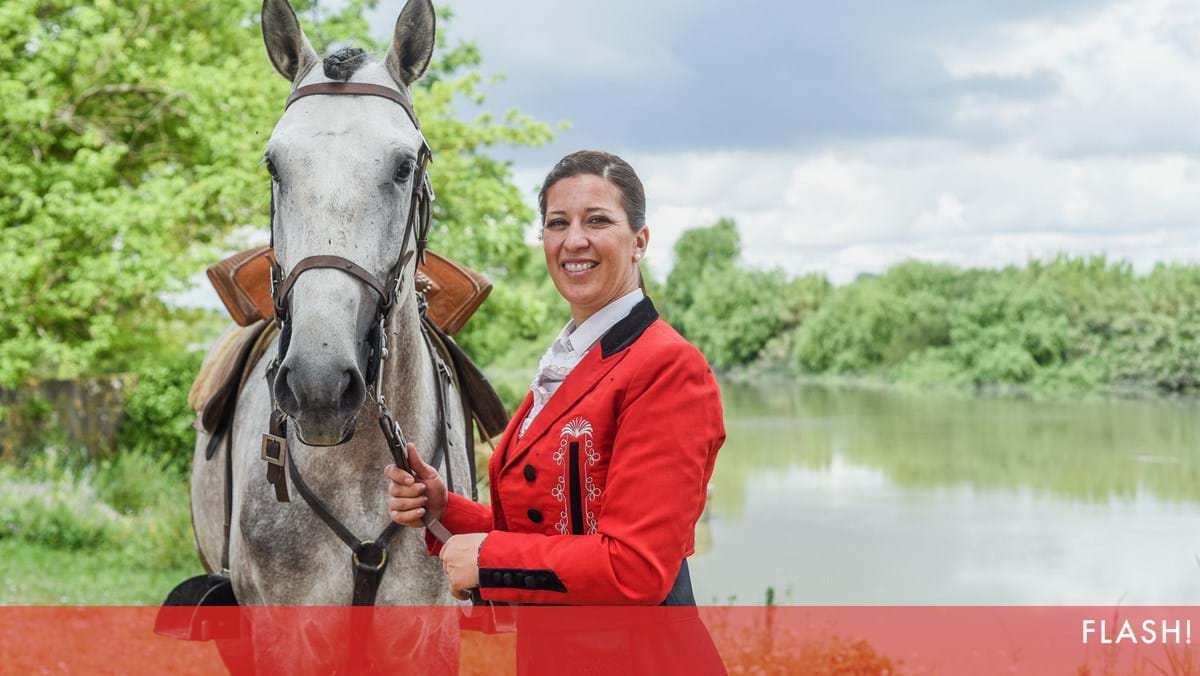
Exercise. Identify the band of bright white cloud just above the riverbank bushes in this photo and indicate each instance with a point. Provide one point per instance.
(865, 208)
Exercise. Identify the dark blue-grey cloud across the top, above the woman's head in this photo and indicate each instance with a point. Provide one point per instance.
(677, 76)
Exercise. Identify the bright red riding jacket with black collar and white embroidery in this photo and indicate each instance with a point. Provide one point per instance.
(598, 502)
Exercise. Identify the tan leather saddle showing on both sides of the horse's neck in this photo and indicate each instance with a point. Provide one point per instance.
(453, 292)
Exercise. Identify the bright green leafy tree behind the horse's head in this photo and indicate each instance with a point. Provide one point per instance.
(133, 136)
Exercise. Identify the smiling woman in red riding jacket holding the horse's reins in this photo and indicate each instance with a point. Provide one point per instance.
(603, 472)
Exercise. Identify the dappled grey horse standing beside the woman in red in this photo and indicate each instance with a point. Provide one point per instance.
(340, 189)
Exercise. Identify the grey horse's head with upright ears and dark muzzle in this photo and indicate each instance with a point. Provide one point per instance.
(343, 171)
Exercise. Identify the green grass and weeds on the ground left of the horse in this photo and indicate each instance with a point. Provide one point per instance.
(76, 533)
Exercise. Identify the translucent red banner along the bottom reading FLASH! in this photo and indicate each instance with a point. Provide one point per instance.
(603, 641)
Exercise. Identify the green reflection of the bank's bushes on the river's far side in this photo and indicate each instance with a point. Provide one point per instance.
(1091, 451)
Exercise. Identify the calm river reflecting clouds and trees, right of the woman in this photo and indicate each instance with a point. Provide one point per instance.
(844, 495)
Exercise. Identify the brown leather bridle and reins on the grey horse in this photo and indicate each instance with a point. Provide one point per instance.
(369, 558)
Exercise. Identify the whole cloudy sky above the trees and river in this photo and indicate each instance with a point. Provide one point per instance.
(845, 137)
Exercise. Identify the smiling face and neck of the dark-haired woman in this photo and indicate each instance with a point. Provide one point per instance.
(591, 250)
